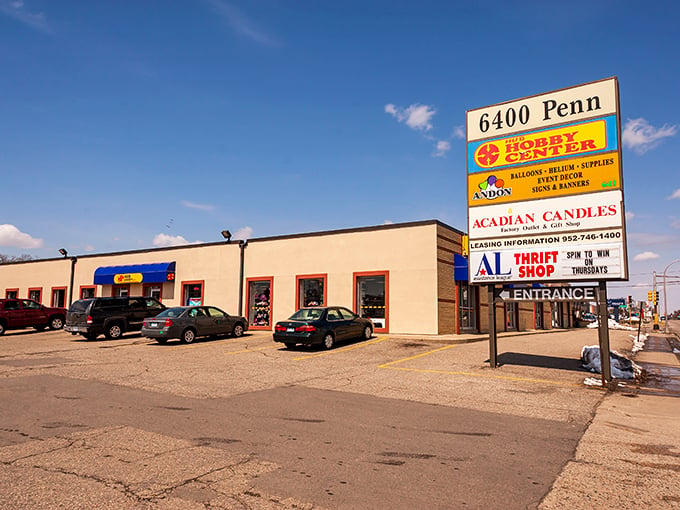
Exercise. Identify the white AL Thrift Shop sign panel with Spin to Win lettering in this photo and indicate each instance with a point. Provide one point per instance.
(587, 263)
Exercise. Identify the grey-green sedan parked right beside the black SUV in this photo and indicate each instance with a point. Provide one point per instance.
(190, 322)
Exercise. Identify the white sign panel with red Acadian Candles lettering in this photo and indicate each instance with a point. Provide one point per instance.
(551, 215)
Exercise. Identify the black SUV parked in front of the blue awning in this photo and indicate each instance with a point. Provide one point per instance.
(110, 316)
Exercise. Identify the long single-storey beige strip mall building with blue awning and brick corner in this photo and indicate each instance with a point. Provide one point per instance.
(409, 278)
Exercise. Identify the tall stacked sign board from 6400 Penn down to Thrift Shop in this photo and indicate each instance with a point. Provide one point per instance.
(545, 190)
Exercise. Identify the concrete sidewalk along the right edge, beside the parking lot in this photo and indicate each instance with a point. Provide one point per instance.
(629, 457)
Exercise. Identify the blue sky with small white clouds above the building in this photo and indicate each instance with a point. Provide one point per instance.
(129, 125)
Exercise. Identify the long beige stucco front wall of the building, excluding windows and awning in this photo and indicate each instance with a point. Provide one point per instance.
(408, 252)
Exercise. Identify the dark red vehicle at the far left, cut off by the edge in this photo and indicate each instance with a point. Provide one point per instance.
(26, 313)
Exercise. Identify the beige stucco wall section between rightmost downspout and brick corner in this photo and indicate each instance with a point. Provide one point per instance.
(409, 254)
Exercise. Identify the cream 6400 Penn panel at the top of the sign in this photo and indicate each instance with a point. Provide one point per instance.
(586, 101)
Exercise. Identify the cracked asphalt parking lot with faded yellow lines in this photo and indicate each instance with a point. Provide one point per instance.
(246, 423)
